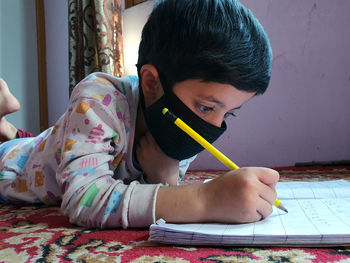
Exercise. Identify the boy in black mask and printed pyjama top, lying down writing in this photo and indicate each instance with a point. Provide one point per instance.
(202, 59)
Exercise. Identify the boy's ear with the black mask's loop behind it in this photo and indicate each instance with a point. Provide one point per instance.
(150, 84)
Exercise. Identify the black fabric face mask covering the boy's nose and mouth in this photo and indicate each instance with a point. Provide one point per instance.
(171, 139)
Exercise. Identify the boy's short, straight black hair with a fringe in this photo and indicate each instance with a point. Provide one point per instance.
(212, 40)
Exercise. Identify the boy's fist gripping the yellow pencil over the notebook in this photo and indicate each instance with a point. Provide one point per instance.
(240, 196)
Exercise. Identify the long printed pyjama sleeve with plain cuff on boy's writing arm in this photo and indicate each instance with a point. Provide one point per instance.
(94, 142)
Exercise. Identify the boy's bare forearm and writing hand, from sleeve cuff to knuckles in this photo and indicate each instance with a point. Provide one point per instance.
(244, 195)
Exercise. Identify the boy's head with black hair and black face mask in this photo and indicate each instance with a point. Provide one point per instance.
(210, 57)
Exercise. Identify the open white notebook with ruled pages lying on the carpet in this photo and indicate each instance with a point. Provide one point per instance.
(319, 215)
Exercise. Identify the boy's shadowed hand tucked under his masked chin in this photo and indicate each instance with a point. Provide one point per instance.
(158, 167)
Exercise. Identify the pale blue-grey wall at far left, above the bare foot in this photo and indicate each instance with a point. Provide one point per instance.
(18, 61)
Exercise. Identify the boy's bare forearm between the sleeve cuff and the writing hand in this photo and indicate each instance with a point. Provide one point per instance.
(180, 204)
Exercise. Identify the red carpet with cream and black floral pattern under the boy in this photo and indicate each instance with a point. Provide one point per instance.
(42, 234)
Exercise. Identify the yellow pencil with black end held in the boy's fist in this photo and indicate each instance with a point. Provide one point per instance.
(208, 146)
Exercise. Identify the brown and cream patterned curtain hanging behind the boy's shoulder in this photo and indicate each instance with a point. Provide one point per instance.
(95, 38)
